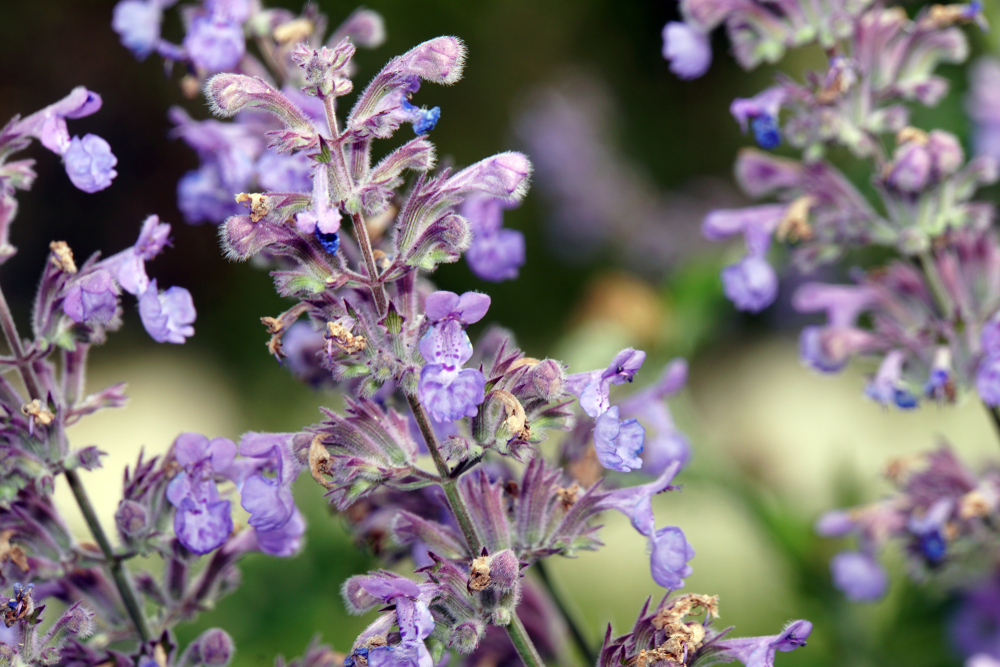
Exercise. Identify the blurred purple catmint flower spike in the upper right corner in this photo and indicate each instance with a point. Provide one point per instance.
(930, 309)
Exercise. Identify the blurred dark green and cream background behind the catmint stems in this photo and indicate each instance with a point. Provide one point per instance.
(773, 444)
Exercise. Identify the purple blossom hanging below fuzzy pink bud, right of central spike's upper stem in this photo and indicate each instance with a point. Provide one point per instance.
(496, 254)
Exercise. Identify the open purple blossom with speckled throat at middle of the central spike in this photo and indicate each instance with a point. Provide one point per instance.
(448, 391)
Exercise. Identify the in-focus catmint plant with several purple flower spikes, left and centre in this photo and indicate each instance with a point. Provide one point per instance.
(438, 448)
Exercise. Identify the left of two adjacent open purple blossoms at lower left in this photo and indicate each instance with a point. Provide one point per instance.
(203, 521)
